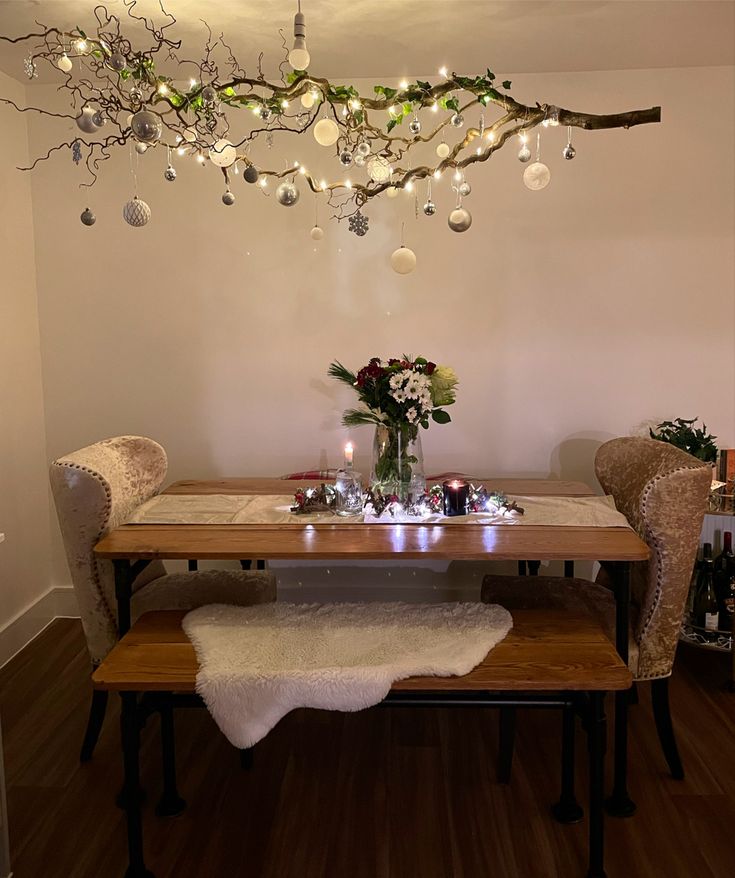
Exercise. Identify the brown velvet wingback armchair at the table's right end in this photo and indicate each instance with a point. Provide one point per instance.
(663, 493)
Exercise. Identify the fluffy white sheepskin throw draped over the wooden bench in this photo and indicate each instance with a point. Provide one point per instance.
(258, 663)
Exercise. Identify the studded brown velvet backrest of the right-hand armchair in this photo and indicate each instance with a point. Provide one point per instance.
(663, 492)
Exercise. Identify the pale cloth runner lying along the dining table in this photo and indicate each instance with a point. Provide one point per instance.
(275, 509)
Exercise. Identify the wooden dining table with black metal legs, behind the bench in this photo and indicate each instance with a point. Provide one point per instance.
(132, 546)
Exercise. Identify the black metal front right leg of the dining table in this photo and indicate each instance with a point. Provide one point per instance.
(619, 804)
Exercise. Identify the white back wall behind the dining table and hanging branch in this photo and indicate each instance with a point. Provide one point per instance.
(571, 315)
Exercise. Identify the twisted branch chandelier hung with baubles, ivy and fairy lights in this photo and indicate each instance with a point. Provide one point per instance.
(121, 95)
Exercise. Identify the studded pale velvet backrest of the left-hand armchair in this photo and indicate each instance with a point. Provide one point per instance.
(95, 490)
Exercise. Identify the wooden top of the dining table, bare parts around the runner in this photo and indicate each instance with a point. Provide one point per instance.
(304, 540)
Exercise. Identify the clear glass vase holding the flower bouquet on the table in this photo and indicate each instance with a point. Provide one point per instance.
(398, 462)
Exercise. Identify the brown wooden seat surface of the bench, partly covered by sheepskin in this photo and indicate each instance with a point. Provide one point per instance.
(542, 652)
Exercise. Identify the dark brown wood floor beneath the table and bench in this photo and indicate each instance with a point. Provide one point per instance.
(379, 794)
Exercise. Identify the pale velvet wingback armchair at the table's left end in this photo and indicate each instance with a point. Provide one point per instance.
(95, 490)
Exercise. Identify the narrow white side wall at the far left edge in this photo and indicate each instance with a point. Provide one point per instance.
(24, 499)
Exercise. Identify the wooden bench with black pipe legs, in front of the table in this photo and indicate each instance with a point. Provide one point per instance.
(551, 660)
